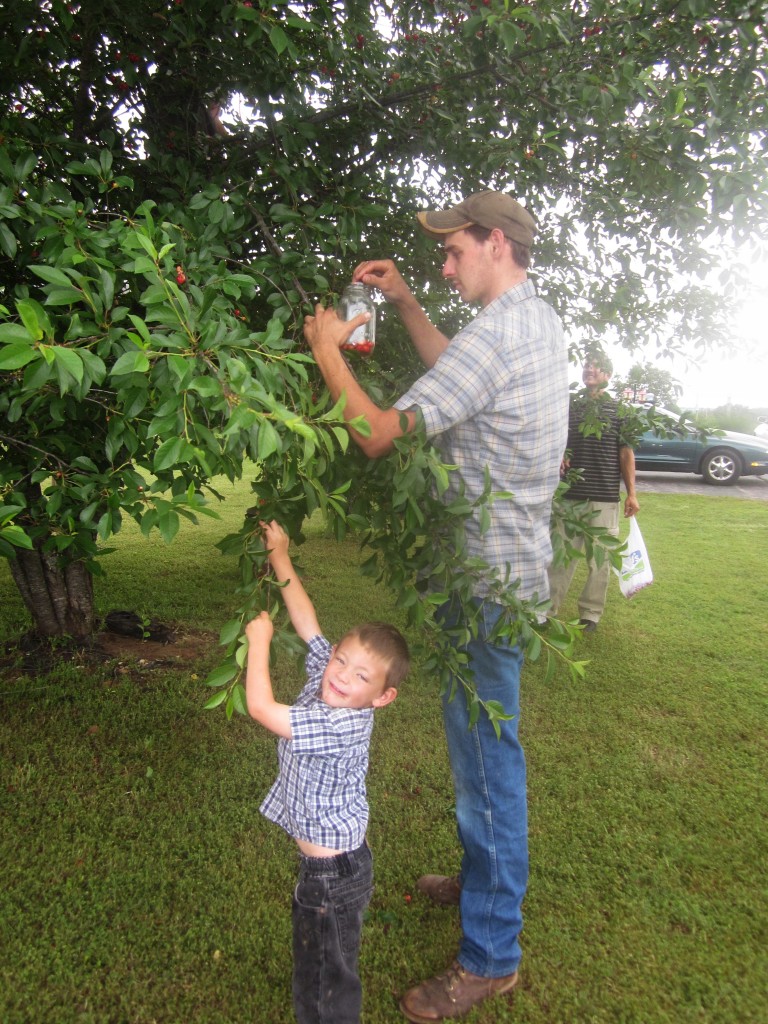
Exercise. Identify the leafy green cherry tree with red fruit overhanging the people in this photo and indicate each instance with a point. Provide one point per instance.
(181, 181)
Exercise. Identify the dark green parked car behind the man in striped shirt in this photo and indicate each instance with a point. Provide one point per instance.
(721, 460)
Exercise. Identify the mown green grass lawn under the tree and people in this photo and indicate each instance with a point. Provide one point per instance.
(140, 883)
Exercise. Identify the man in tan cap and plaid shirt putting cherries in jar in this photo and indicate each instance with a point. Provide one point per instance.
(495, 399)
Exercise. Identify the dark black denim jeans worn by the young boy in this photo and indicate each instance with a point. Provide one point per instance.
(328, 907)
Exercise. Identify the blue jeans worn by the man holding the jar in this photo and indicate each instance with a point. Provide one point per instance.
(491, 807)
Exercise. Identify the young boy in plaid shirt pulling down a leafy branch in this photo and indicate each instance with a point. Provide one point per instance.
(320, 795)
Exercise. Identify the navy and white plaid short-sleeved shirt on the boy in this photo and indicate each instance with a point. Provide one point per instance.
(320, 794)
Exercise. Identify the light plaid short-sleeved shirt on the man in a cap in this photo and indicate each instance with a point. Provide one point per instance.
(498, 397)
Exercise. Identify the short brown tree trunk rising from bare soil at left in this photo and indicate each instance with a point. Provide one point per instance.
(58, 595)
